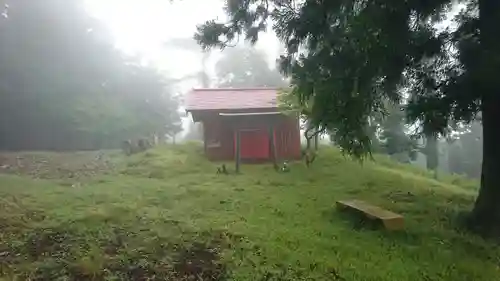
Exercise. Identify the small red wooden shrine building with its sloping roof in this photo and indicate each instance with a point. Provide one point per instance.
(245, 121)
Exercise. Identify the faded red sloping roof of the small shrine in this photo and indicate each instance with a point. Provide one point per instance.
(237, 98)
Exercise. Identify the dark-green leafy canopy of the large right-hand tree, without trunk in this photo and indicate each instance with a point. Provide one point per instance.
(351, 57)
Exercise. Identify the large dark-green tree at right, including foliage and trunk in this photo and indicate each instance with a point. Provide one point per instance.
(352, 56)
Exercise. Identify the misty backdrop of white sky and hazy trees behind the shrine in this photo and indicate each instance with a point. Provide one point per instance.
(88, 74)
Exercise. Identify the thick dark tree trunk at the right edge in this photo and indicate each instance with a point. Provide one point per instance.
(486, 213)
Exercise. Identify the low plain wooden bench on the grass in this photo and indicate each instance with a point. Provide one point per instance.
(391, 220)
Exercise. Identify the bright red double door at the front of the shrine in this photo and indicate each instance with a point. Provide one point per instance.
(254, 144)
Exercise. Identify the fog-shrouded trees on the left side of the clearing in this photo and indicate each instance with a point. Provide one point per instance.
(64, 86)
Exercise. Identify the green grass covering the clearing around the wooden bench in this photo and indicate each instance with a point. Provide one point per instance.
(166, 215)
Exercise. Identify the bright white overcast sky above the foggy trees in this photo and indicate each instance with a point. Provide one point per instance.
(142, 26)
